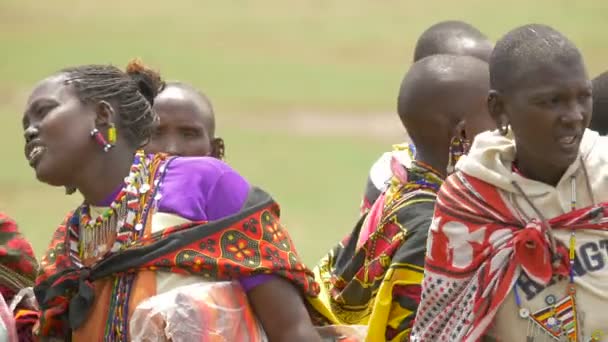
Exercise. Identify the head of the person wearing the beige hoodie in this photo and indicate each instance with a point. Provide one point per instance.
(541, 93)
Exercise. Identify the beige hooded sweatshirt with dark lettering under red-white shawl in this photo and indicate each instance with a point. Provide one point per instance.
(490, 160)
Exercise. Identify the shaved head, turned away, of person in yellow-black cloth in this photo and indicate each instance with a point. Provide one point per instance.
(438, 94)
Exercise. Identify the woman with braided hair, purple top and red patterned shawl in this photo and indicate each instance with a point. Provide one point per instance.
(148, 223)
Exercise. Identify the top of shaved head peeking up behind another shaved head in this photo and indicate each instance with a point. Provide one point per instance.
(453, 38)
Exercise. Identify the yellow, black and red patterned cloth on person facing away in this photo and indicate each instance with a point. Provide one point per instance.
(373, 276)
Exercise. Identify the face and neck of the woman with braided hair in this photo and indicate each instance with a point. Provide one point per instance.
(57, 120)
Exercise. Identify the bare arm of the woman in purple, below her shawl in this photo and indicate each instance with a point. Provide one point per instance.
(281, 310)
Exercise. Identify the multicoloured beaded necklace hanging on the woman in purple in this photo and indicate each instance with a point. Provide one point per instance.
(116, 229)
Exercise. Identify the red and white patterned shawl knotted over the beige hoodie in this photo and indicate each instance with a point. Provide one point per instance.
(476, 250)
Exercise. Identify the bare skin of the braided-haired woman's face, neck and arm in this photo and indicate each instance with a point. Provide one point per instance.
(57, 122)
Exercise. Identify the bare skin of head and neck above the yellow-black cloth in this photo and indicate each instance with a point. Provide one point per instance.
(461, 112)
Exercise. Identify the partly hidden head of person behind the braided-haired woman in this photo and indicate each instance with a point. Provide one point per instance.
(186, 126)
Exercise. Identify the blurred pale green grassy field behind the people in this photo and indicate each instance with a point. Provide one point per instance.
(304, 90)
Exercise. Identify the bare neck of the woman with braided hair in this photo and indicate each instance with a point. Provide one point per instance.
(104, 174)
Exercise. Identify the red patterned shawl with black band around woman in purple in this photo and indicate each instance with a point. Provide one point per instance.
(250, 242)
